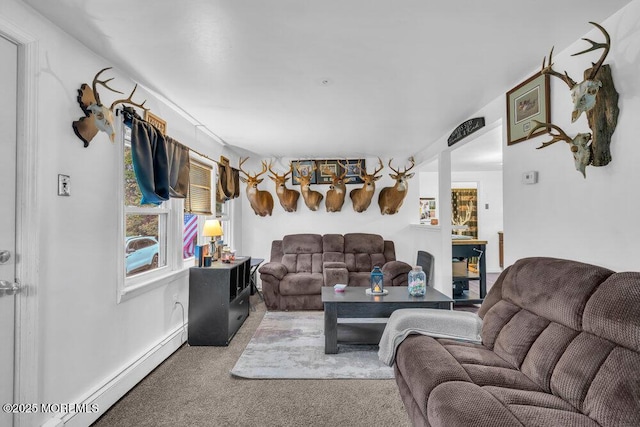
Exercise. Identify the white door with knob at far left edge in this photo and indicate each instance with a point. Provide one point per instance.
(8, 89)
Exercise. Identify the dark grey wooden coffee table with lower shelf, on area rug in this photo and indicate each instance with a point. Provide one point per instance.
(355, 303)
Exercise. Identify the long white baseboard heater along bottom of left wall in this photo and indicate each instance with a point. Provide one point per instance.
(120, 383)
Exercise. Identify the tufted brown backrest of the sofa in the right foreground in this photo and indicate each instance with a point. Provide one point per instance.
(574, 329)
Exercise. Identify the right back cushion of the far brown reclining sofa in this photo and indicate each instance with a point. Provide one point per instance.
(363, 251)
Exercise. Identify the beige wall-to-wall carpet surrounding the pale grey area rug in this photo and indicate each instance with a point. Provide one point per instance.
(194, 388)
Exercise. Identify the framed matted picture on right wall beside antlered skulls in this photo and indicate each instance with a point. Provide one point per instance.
(528, 101)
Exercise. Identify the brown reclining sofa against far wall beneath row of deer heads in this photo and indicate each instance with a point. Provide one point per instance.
(301, 264)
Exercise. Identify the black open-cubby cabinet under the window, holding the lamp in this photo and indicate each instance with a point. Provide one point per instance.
(218, 301)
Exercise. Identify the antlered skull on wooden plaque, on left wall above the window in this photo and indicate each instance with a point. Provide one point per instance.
(97, 116)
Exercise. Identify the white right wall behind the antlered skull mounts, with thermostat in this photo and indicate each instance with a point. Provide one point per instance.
(566, 215)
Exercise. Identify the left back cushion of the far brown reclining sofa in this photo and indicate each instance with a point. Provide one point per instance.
(302, 253)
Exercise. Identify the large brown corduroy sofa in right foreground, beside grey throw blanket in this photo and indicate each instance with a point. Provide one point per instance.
(560, 347)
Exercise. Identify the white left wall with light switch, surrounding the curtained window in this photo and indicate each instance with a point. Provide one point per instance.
(85, 339)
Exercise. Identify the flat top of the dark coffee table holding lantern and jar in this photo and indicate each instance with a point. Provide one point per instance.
(396, 294)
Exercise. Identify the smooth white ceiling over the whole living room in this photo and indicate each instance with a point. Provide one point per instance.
(330, 78)
